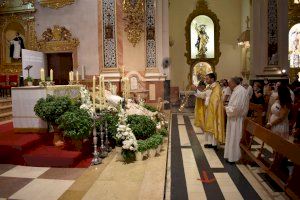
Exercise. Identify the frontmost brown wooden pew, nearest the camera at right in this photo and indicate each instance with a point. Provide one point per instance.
(284, 150)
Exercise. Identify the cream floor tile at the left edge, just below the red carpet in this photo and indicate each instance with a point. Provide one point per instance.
(25, 172)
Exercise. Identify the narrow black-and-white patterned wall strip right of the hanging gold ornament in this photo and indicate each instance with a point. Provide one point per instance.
(150, 37)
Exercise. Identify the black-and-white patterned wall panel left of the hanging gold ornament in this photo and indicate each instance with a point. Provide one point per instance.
(109, 33)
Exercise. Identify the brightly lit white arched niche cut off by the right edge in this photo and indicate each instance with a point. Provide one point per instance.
(294, 46)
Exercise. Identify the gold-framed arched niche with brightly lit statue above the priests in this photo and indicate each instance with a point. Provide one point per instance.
(202, 33)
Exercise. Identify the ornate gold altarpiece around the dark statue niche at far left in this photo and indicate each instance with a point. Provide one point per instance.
(20, 13)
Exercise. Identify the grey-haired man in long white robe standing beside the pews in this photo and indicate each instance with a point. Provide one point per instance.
(236, 112)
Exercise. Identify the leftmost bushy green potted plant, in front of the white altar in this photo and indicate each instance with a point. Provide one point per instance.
(50, 109)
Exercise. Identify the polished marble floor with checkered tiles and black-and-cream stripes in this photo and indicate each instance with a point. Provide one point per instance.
(183, 170)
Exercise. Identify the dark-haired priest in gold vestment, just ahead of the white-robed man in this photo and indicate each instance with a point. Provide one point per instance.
(211, 115)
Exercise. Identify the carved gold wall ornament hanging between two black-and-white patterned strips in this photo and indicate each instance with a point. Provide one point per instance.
(134, 17)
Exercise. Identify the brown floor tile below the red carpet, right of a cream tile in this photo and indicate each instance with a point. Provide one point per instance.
(62, 173)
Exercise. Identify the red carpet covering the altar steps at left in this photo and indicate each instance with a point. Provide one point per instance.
(33, 150)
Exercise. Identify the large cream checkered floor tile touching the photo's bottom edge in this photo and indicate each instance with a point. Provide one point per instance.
(45, 189)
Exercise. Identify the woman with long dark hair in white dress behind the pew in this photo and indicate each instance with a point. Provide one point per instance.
(278, 121)
